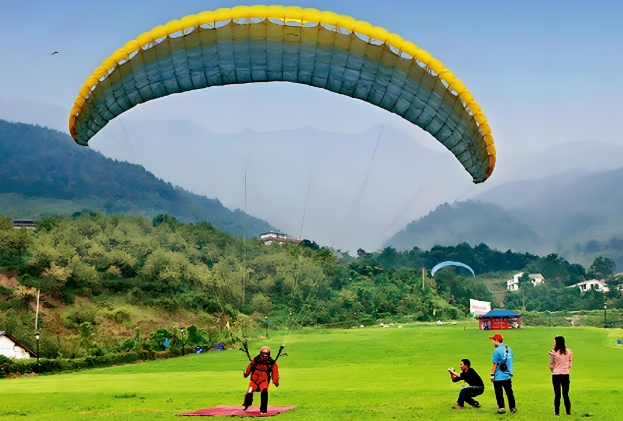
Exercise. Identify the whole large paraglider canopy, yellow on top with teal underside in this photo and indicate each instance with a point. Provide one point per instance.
(289, 44)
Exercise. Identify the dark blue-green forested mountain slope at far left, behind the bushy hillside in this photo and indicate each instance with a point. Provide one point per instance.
(43, 164)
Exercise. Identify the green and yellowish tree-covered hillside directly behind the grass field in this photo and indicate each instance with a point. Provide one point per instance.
(107, 279)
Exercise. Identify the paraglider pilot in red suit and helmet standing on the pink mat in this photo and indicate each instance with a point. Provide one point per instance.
(262, 370)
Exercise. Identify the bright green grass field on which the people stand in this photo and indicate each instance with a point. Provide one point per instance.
(357, 374)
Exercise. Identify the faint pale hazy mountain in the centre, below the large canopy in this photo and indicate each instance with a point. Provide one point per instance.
(346, 190)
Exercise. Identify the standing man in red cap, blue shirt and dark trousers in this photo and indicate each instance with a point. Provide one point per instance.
(502, 373)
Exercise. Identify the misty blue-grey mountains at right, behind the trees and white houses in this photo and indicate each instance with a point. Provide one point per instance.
(577, 216)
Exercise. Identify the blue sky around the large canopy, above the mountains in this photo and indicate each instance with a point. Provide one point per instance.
(544, 72)
